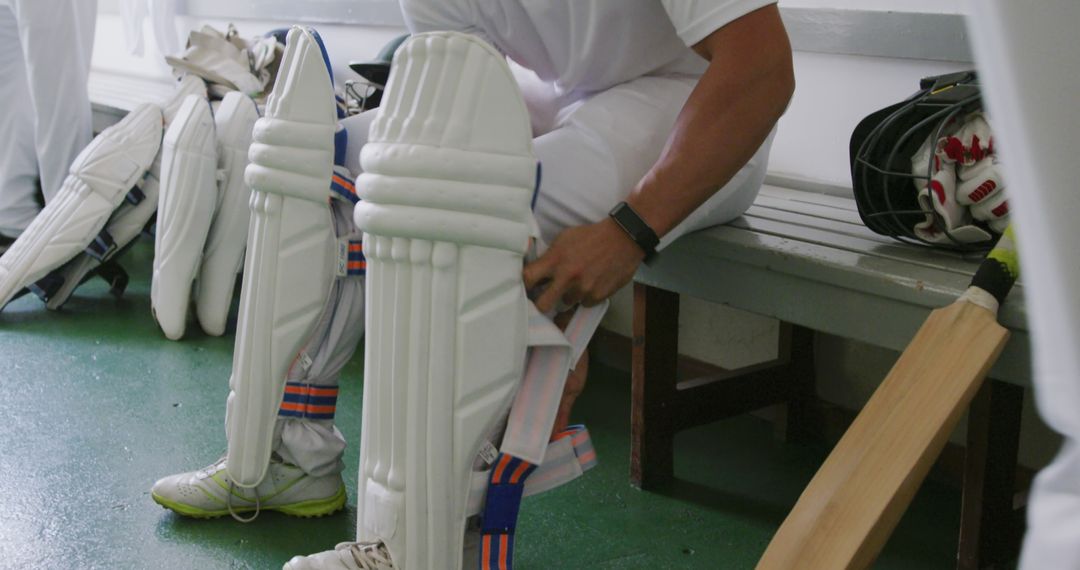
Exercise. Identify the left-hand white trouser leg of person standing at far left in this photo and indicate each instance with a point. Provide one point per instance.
(19, 164)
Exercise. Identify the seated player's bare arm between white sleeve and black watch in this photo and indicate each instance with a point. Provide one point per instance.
(727, 117)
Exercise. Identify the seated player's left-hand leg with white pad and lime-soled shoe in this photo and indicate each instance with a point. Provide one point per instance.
(305, 449)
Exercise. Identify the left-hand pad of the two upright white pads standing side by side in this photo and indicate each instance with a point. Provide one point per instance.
(185, 209)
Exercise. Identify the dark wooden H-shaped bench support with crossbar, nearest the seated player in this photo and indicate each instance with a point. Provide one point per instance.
(663, 405)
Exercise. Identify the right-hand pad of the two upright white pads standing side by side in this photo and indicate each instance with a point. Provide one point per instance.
(224, 254)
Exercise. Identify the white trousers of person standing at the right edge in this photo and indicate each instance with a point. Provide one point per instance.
(1030, 65)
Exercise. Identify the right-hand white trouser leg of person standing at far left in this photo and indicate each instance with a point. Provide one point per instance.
(58, 39)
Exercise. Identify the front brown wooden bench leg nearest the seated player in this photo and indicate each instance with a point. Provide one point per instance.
(655, 358)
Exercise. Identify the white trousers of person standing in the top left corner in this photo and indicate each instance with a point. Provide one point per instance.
(45, 110)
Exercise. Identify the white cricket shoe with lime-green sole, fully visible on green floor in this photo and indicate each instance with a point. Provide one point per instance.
(210, 494)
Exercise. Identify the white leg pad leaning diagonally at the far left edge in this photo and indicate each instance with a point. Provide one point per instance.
(101, 177)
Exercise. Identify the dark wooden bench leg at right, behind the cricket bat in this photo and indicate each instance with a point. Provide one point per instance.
(990, 526)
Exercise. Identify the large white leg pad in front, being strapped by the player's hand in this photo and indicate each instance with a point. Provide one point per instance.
(445, 210)
